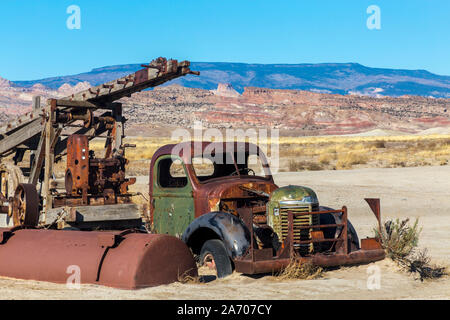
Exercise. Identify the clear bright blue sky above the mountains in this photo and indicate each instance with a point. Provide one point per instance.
(415, 34)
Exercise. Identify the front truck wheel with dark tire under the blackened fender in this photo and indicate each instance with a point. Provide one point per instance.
(214, 255)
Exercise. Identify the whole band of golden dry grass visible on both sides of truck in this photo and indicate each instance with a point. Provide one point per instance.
(323, 152)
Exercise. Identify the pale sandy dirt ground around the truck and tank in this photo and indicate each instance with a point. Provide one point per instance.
(422, 192)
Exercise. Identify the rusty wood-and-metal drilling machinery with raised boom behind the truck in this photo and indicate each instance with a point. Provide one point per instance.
(58, 129)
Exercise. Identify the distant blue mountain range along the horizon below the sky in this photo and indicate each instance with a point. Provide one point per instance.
(340, 78)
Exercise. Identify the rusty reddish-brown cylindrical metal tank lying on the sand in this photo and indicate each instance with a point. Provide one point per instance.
(126, 260)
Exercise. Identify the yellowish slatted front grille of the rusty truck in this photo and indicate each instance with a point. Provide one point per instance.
(299, 234)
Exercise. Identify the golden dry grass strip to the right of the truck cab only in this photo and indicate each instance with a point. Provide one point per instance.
(343, 153)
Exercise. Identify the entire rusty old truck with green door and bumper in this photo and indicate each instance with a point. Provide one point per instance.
(222, 201)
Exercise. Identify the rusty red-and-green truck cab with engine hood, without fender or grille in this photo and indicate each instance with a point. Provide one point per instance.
(205, 178)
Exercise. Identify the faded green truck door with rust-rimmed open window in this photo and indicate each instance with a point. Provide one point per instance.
(173, 201)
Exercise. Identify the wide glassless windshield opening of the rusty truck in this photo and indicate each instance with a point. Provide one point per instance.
(227, 165)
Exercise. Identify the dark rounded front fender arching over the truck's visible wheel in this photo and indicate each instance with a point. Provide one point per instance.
(218, 225)
